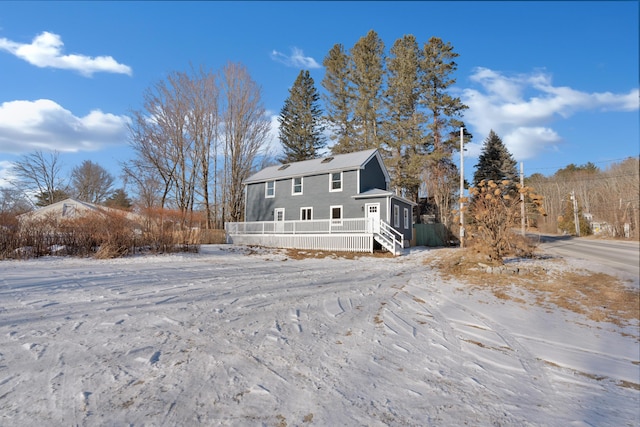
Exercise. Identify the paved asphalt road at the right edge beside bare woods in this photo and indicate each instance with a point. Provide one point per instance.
(618, 254)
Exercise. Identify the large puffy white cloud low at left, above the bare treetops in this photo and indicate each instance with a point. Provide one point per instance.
(44, 125)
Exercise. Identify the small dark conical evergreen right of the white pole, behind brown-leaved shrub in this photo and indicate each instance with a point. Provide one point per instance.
(495, 162)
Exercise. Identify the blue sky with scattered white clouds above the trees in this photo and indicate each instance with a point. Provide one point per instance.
(558, 81)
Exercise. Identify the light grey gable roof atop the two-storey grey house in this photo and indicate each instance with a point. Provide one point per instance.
(339, 162)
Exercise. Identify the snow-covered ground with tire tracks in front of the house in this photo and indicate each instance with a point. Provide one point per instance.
(225, 337)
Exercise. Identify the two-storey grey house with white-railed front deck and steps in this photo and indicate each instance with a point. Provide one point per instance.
(340, 203)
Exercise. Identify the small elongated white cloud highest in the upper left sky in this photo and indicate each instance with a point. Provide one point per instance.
(46, 51)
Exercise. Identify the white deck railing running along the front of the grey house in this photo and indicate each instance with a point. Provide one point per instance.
(319, 226)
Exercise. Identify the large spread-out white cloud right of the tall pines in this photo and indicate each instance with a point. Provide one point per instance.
(522, 108)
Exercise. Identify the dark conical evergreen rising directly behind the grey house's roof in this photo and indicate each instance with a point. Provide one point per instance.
(301, 121)
